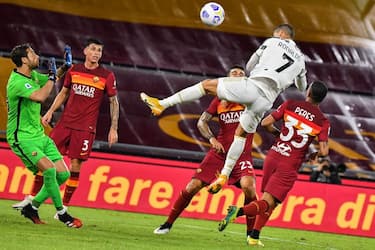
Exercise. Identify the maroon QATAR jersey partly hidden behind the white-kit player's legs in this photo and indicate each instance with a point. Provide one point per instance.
(229, 118)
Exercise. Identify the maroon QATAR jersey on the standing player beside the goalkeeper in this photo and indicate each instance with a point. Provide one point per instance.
(87, 88)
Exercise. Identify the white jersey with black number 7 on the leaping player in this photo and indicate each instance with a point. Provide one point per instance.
(280, 60)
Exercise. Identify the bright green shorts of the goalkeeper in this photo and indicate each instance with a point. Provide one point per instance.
(31, 151)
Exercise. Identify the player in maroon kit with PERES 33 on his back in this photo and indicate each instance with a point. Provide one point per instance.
(302, 122)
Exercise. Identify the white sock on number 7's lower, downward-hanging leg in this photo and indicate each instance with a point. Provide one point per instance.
(234, 153)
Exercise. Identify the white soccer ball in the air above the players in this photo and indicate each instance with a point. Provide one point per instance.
(212, 14)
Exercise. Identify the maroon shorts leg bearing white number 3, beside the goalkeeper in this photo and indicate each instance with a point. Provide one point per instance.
(80, 144)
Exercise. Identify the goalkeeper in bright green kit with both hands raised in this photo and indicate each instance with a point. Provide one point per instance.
(26, 89)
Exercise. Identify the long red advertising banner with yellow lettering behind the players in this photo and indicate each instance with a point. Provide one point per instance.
(145, 185)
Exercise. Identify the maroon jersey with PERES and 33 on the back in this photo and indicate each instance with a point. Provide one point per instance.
(302, 122)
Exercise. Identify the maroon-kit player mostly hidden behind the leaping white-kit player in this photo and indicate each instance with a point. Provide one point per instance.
(243, 173)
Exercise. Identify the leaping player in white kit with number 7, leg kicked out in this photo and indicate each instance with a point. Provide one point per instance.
(276, 64)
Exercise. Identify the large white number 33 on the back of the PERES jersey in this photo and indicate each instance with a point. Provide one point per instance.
(303, 131)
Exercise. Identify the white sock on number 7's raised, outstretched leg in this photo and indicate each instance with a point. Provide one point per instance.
(185, 95)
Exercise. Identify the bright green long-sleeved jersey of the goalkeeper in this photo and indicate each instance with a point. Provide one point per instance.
(23, 113)
